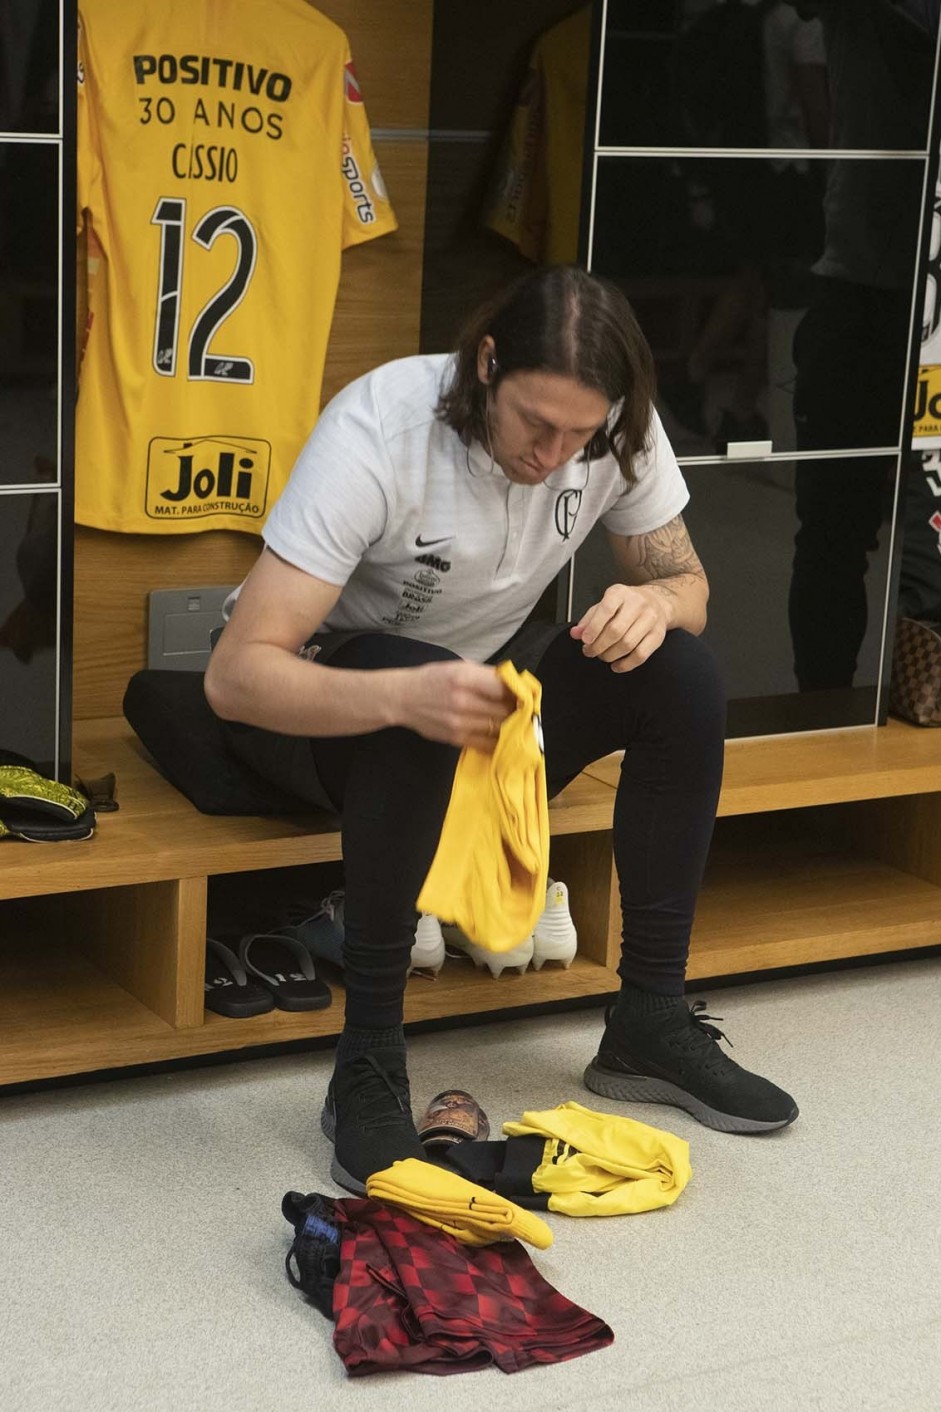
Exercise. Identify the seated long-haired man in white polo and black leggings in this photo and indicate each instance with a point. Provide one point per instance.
(484, 472)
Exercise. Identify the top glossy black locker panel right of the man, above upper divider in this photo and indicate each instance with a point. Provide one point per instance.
(726, 74)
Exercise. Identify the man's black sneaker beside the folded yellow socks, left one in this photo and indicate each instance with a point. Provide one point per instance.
(368, 1118)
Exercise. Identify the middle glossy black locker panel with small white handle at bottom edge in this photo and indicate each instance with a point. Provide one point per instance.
(776, 297)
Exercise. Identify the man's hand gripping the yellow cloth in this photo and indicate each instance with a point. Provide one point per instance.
(460, 704)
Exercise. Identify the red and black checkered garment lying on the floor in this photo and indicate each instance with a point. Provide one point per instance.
(416, 1300)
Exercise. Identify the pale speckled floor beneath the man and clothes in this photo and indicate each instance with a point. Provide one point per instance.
(142, 1242)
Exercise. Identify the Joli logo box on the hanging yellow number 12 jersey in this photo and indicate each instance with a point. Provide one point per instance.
(203, 477)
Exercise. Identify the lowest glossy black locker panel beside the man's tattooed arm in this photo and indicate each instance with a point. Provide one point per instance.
(798, 558)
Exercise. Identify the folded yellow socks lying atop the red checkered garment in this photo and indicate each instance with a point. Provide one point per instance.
(457, 1207)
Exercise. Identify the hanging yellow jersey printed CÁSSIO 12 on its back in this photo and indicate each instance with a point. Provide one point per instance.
(224, 164)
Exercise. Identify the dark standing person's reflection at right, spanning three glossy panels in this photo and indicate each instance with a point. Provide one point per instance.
(850, 349)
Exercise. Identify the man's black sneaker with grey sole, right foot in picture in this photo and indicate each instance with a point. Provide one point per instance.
(672, 1057)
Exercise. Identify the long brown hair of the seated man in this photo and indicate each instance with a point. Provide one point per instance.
(560, 320)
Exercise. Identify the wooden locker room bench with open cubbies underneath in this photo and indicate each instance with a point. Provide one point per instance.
(827, 846)
